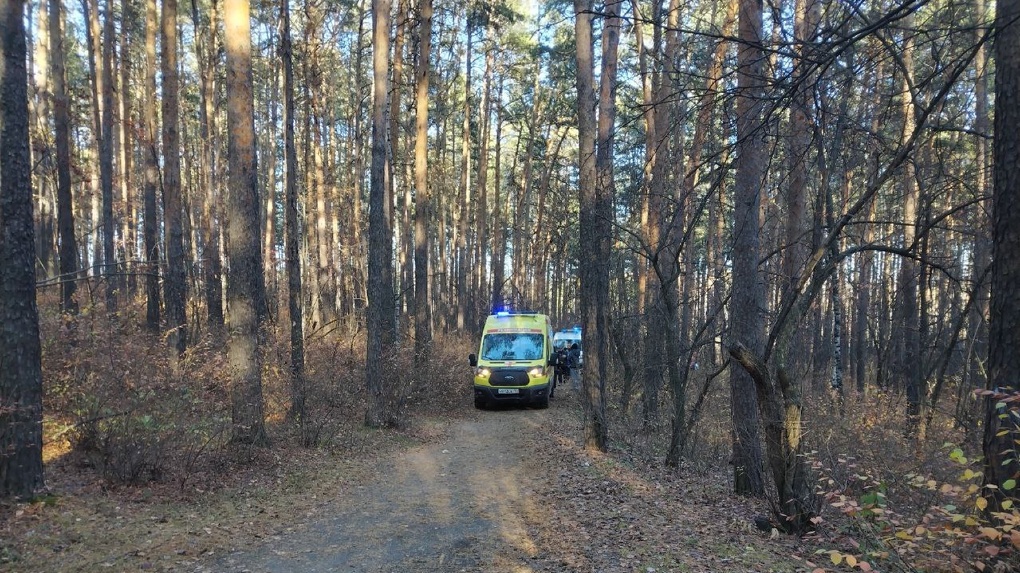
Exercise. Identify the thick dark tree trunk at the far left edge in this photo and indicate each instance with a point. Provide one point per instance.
(21, 351)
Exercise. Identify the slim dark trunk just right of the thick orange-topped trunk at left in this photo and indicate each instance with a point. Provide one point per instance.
(299, 411)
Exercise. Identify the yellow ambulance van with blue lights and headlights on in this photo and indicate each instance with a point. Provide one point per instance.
(514, 364)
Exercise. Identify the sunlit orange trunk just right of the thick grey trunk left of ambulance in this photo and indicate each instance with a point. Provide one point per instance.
(424, 207)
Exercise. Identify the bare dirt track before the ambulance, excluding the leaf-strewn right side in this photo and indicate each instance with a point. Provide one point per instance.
(468, 503)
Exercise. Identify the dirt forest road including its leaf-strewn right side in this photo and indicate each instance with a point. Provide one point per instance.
(512, 491)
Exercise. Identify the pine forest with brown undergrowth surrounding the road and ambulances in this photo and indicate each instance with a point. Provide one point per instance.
(227, 225)
